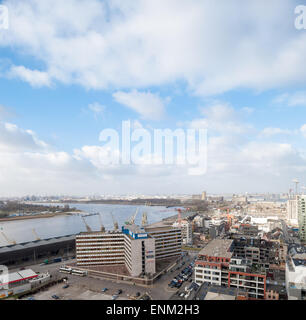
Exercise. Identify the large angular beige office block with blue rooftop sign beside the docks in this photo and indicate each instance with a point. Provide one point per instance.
(138, 249)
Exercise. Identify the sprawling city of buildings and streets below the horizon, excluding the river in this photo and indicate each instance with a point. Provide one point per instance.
(216, 247)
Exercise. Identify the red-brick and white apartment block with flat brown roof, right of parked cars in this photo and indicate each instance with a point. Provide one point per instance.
(217, 265)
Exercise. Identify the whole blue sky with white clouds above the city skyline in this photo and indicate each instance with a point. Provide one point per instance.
(70, 69)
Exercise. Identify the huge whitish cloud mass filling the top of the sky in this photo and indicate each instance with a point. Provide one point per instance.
(141, 43)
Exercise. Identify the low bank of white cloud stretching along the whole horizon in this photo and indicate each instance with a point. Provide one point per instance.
(28, 165)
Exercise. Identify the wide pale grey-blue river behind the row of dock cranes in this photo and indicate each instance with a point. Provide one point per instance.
(22, 230)
